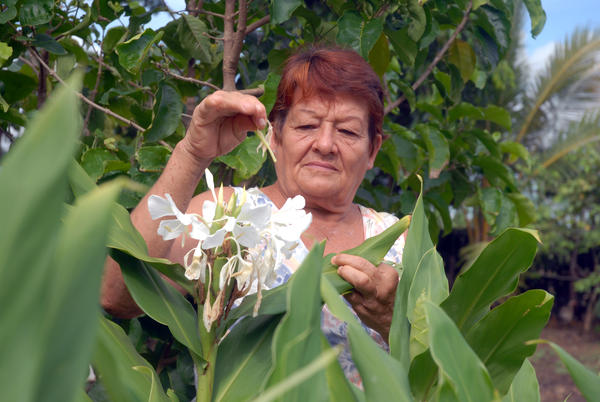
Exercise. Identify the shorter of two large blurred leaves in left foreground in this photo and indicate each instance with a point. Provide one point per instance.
(70, 311)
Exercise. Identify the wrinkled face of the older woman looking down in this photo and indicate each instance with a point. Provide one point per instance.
(324, 149)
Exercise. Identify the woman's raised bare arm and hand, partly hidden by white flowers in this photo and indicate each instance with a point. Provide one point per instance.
(219, 123)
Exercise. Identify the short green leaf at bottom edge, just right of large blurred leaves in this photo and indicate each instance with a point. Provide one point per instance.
(114, 361)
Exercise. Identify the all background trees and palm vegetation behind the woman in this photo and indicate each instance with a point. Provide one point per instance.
(493, 151)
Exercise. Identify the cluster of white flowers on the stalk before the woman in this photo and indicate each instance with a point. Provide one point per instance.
(239, 239)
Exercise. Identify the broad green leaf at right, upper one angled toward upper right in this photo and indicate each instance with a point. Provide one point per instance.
(494, 274)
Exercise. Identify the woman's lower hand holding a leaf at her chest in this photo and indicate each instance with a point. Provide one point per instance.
(374, 290)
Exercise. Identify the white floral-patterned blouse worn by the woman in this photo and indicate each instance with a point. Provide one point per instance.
(335, 330)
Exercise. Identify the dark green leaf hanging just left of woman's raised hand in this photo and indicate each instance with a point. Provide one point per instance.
(166, 113)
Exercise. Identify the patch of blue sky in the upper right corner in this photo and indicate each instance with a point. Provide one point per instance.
(562, 17)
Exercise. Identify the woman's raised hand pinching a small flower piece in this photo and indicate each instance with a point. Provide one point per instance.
(220, 123)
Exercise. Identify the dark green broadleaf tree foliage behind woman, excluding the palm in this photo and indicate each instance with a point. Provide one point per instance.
(146, 66)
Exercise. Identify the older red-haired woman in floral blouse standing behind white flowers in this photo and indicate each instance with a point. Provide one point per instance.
(327, 122)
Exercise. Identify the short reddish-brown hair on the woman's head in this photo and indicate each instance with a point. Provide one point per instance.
(328, 71)
